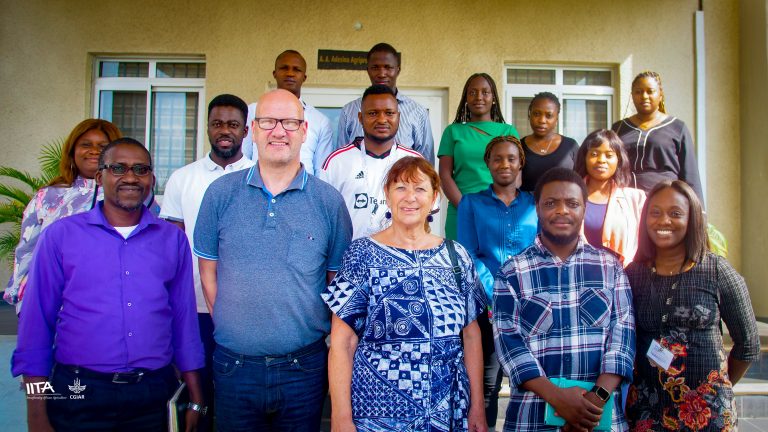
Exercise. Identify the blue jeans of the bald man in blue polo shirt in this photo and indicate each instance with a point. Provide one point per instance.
(277, 393)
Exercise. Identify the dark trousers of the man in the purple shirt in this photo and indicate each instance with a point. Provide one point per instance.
(108, 406)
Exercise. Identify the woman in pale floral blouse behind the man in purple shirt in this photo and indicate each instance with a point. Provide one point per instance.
(73, 191)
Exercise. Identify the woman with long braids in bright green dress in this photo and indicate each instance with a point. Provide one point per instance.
(462, 147)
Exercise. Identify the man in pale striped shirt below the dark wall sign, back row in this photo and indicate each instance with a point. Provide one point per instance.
(414, 130)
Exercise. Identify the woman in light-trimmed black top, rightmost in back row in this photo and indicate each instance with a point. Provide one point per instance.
(659, 146)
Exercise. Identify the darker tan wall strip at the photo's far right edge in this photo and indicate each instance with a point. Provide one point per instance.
(753, 50)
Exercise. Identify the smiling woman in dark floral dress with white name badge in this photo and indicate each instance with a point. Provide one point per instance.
(681, 291)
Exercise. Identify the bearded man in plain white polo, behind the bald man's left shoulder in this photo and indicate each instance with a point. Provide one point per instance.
(184, 192)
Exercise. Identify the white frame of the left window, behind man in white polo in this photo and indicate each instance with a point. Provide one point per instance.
(152, 84)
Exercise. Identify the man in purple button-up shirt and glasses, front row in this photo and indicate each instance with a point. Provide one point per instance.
(109, 306)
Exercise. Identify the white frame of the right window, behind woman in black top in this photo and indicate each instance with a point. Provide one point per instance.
(561, 90)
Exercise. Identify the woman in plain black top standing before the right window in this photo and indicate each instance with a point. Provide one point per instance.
(545, 148)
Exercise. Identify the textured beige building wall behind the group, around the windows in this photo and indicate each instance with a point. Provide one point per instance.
(47, 49)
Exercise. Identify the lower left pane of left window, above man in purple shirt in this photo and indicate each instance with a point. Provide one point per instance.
(127, 110)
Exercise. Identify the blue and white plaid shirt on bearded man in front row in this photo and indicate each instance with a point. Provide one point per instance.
(555, 318)
